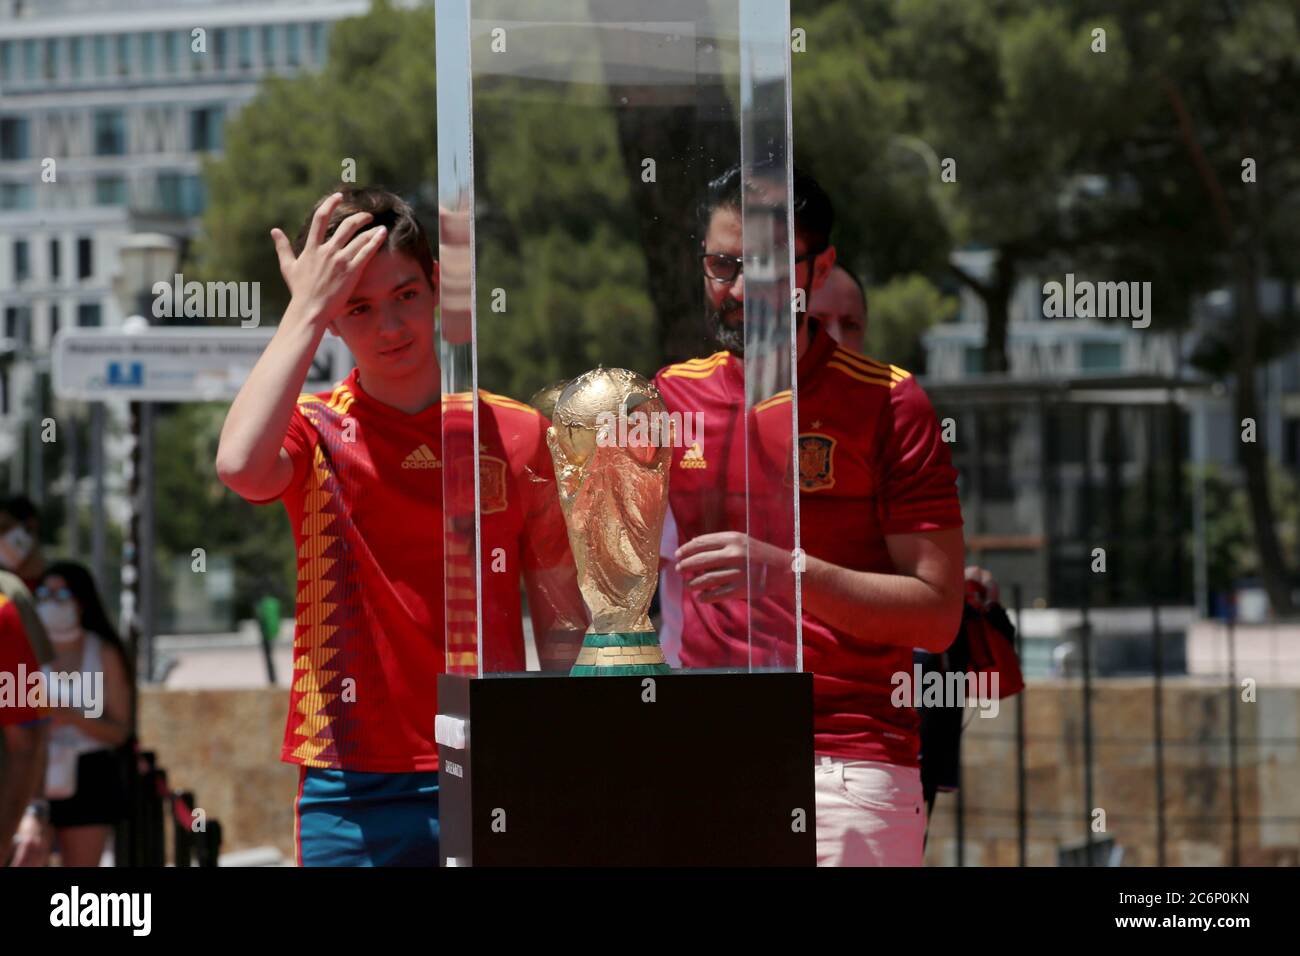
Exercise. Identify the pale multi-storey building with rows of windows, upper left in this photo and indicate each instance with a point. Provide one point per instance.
(109, 110)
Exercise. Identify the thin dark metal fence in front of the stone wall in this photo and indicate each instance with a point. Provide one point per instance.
(1224, 762)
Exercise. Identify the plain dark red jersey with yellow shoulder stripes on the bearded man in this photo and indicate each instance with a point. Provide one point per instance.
(872, 464)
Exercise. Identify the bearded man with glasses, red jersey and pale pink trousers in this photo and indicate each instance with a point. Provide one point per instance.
(879, 527)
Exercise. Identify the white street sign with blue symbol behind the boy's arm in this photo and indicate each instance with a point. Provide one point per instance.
(175, 364)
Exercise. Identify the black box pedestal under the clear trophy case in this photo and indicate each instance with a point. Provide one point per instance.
(686, 769)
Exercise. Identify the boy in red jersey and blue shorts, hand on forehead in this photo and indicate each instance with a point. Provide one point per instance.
(361, 473)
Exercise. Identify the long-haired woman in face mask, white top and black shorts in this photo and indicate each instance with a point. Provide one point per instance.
(84, 781)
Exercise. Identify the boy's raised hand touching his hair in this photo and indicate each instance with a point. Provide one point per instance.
(324, 276)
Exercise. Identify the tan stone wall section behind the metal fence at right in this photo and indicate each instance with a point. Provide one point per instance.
(1197, 771)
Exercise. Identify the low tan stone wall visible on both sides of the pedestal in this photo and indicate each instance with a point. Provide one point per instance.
(224, 745)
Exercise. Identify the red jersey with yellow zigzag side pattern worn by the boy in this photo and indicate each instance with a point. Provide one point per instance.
(367, 509)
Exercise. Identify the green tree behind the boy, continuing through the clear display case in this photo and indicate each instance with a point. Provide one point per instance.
(556, 231)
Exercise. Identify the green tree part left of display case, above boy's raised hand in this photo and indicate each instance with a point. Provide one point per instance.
(372, 106)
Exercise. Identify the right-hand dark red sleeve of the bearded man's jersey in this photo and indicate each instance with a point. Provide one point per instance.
(918, 488)
